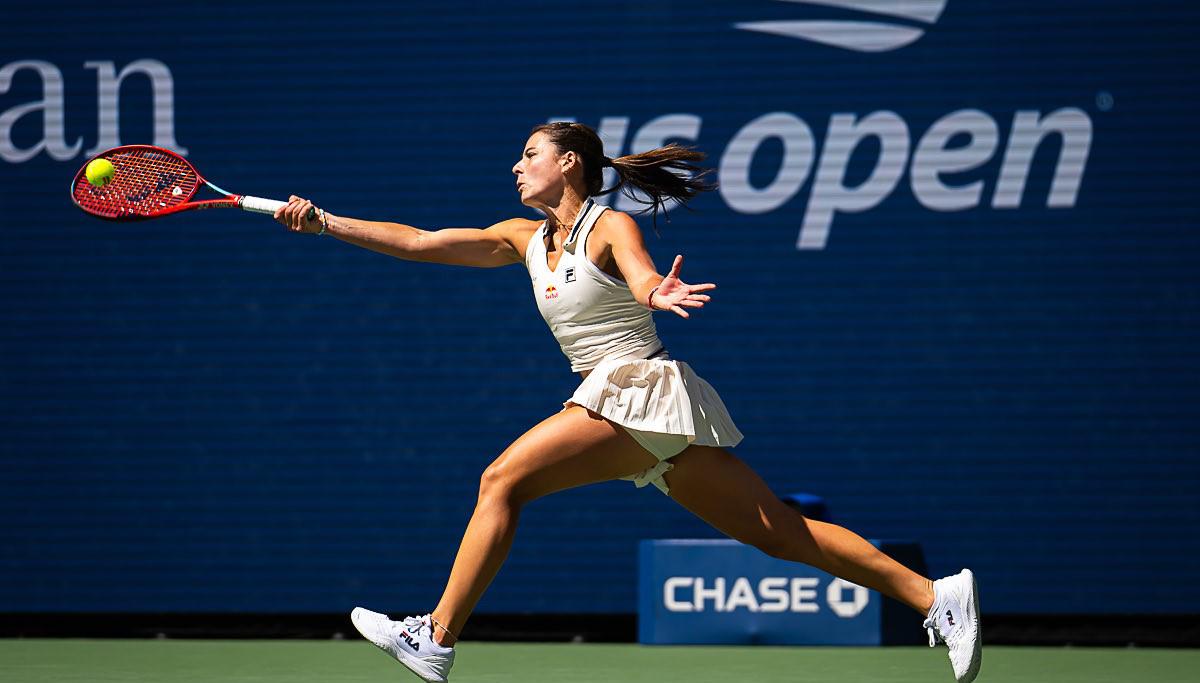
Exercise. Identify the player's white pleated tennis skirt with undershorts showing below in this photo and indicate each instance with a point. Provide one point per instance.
(663, 404)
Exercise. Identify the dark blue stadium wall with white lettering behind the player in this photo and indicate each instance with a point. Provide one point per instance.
(958, 298)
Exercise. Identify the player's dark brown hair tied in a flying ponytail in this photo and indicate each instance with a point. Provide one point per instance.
(664, 173)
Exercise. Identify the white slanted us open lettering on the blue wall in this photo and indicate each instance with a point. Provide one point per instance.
(927, 166)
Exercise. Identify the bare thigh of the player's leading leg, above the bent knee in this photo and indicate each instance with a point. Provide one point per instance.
(572, 448)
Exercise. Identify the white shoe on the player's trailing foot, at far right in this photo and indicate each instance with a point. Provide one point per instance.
(955, 620)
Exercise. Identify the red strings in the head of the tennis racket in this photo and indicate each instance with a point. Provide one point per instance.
(146, 182)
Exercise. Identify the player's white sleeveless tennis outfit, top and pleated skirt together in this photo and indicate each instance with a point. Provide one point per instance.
(663, 404)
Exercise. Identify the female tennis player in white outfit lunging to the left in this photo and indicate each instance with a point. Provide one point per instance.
(638, 414)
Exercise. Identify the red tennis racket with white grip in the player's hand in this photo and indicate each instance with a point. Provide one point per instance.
(152, 182)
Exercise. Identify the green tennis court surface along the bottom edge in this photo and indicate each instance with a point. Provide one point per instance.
(355, 662)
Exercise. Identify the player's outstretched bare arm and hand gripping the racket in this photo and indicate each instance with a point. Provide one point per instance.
(489, 248)
